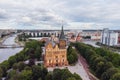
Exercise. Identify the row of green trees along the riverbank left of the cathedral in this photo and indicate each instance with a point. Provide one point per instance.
(31, 52)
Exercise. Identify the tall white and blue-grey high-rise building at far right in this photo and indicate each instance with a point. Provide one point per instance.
(109, 37)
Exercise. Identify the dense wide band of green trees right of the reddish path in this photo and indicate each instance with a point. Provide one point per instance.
(100, 60)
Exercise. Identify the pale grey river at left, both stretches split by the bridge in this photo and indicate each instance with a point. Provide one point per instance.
(5, 53)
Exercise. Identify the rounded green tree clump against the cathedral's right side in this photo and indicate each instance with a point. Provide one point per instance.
(71, 55)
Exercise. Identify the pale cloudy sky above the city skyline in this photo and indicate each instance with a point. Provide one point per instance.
(50, 14)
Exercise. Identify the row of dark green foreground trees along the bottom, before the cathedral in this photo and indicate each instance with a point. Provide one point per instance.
(36, 72)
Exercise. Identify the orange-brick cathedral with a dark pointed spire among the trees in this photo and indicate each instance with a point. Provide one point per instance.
(56, 53)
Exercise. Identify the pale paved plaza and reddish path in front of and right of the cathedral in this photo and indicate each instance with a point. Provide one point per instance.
(81, 68)
